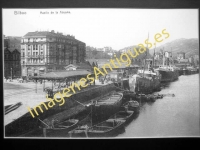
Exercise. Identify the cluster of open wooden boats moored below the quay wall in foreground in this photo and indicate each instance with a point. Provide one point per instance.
(92, 126)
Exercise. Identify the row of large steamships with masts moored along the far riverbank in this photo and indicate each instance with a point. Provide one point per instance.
(150, 79)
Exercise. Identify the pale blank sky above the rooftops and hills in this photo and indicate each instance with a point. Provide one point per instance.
(116, 28)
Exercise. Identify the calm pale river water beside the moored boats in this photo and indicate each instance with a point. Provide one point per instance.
(171, 116)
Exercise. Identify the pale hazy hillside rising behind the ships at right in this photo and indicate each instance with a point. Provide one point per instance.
(189, 46)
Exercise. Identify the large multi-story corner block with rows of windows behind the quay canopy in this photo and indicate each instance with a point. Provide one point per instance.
(46, 51)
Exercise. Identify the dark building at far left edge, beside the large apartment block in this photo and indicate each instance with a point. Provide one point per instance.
(12, 66)
